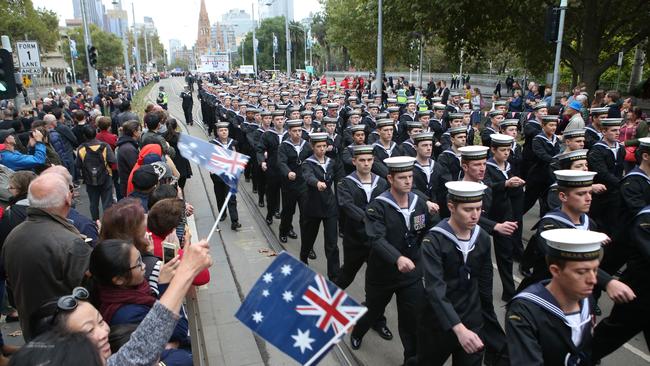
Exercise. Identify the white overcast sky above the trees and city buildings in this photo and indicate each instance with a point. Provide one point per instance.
(176, 19)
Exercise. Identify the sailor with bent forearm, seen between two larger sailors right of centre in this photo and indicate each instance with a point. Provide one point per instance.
(503, 185)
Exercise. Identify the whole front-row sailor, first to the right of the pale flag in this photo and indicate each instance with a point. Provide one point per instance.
(267, 157)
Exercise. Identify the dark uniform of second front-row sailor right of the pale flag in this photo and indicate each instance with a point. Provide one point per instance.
(290, 159)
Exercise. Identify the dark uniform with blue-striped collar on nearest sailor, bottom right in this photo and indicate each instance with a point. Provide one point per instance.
(539, 333)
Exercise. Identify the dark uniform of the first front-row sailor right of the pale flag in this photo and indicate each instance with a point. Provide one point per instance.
(269, 144)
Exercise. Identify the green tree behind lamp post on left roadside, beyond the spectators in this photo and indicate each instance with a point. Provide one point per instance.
(109, 50)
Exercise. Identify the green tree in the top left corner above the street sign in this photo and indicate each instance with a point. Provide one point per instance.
(21, 21)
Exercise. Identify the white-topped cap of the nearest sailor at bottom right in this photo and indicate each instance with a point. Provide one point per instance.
(574, 244)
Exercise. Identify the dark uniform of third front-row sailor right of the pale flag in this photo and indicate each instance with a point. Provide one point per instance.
(322, 207)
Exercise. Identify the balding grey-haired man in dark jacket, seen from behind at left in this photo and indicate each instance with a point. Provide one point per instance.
(45, 256)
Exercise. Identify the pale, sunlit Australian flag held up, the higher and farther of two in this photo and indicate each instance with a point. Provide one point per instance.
(227, 164)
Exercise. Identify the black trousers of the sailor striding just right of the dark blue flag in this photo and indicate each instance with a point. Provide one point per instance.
(408, 298)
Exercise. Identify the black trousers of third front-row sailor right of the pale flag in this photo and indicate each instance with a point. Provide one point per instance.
(308, 233)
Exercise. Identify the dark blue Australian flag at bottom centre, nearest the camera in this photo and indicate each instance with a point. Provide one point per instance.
(298, 310)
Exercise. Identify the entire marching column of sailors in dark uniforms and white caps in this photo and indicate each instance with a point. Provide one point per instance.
(421, 201)
